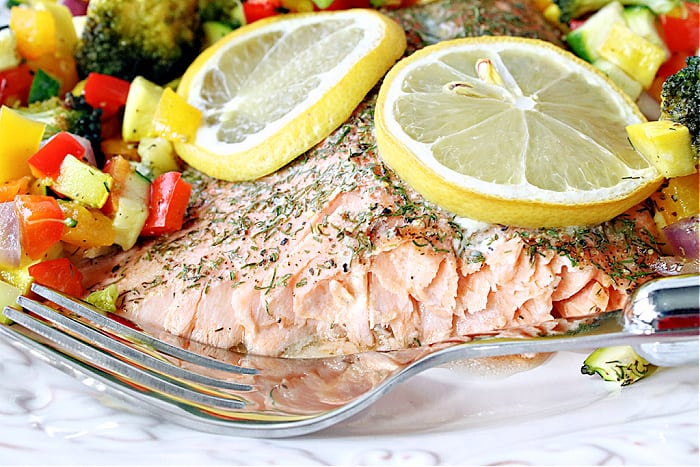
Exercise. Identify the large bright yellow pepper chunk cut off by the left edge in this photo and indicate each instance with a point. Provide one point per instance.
(20, 138)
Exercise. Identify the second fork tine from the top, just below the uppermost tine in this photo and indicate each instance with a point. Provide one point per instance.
(110, 344)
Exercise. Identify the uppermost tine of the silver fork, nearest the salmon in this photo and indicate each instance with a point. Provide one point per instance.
(87, 311)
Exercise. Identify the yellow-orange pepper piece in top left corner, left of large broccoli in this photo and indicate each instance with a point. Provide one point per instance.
(35, 31)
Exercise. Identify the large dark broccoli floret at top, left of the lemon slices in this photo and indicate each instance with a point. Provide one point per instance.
(155, 39)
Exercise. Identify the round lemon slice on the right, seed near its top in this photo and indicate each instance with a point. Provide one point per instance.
(513, 131)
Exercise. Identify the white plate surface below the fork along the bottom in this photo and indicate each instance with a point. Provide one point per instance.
(551, 415)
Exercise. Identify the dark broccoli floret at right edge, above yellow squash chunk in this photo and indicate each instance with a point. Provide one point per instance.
(680, 100)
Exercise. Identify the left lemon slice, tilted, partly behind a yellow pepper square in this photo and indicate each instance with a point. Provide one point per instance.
(272, 89)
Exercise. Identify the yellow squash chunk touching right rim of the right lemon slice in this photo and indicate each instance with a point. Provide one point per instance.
(666, 144)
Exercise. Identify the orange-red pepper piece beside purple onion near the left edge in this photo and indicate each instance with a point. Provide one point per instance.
(40, 223)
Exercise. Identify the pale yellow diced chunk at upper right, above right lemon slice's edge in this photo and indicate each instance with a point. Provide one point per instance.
(635, 55)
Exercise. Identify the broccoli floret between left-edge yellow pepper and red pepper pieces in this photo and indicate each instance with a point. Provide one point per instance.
(72, 114)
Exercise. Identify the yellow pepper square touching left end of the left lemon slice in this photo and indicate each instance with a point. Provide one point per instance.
(175, 119)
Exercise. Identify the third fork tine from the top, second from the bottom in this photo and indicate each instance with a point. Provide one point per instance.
(113, 365)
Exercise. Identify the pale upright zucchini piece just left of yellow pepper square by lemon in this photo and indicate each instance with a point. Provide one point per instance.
(141, 105)
